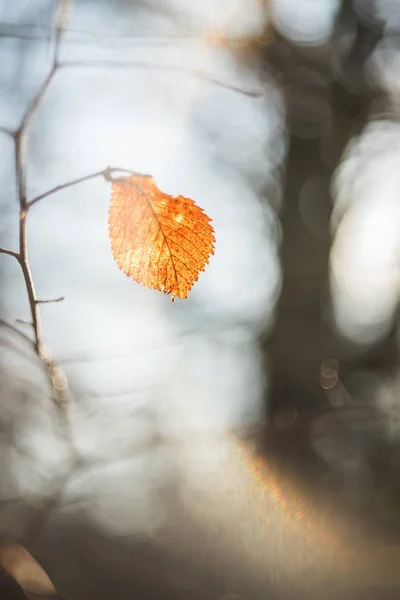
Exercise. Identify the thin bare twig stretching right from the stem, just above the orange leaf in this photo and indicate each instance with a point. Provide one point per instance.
(111, 64)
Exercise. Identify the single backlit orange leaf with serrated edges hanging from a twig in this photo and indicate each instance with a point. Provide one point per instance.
(158, 240)
